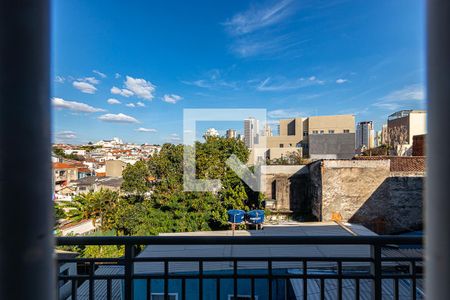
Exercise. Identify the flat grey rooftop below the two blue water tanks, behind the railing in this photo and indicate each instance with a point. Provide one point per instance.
(285, 229)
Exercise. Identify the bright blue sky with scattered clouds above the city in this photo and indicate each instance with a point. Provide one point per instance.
(291, 57)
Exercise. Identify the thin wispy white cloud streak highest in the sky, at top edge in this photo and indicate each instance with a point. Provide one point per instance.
(257, 18)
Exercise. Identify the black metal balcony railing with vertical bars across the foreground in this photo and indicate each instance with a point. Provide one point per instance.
(391, 267)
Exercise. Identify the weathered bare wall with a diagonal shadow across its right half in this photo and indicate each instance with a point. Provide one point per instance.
(368, 193)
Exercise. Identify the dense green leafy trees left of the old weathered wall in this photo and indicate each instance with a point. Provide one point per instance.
(152, 198)
